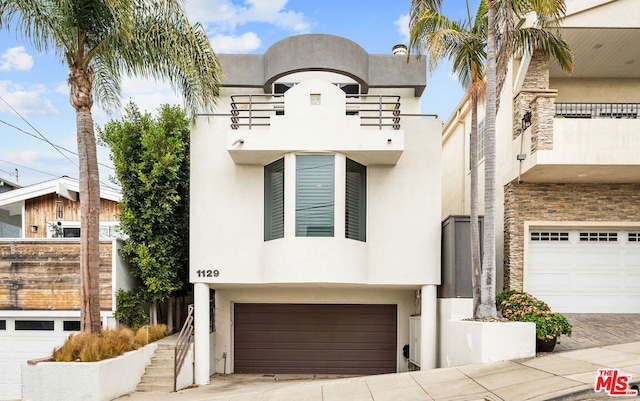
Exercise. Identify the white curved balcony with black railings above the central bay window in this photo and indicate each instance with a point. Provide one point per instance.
(314, 118)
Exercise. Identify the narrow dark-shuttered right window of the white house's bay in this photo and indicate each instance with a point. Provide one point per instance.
(356, 201)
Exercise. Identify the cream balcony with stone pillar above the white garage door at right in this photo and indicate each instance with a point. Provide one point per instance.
(586, 142)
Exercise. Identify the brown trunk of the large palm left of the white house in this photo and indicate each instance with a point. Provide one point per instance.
(80, 82)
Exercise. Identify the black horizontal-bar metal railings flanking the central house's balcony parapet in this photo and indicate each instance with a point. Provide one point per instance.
(381, 111)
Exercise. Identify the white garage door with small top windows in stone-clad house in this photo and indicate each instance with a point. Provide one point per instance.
(585, 271)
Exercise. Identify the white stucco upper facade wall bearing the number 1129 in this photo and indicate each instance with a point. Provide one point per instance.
(403, 223)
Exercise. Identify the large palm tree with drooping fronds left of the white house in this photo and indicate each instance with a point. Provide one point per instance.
(100, 40)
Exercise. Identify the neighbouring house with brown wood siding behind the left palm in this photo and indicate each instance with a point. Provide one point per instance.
(40, 274)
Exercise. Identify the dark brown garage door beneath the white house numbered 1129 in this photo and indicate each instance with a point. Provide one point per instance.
(302, 338)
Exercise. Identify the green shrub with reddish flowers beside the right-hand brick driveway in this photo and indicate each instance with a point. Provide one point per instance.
(524, 307)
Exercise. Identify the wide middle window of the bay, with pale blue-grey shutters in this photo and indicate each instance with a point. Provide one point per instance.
(315, 195)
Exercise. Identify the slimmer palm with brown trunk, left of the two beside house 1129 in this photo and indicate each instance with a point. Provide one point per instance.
(465, 44)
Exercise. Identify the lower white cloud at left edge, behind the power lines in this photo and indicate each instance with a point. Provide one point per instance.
(27, 102)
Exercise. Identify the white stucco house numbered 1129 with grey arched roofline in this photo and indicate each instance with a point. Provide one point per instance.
(315, 191)
